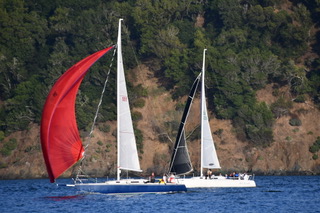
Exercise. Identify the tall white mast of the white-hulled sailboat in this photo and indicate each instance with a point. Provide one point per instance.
(203, 99)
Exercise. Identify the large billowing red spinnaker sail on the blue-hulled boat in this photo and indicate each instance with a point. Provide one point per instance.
(60, 139)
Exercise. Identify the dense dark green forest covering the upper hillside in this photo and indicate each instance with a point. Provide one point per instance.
(251, 43)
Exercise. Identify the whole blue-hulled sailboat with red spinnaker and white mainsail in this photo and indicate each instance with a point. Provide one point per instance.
(60, 139)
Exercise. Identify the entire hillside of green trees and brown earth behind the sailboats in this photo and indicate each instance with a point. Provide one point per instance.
(262, 80)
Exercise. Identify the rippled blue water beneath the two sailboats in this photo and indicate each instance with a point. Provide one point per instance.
(272, 194)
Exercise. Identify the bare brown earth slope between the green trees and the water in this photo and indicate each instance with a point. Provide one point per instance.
(288, 154)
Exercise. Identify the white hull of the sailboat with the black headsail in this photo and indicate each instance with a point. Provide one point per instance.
(216, 182)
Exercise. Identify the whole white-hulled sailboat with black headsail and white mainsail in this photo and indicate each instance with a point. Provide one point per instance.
(208, 156)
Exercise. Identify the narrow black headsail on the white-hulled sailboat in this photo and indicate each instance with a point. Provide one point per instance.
(180, 160)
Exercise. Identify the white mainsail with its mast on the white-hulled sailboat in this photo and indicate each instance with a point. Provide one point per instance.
(209, 157)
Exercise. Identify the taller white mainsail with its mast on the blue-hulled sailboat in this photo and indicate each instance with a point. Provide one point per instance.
(127, 149)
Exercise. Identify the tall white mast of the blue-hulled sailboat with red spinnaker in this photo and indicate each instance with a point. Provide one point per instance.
(119, 61)
